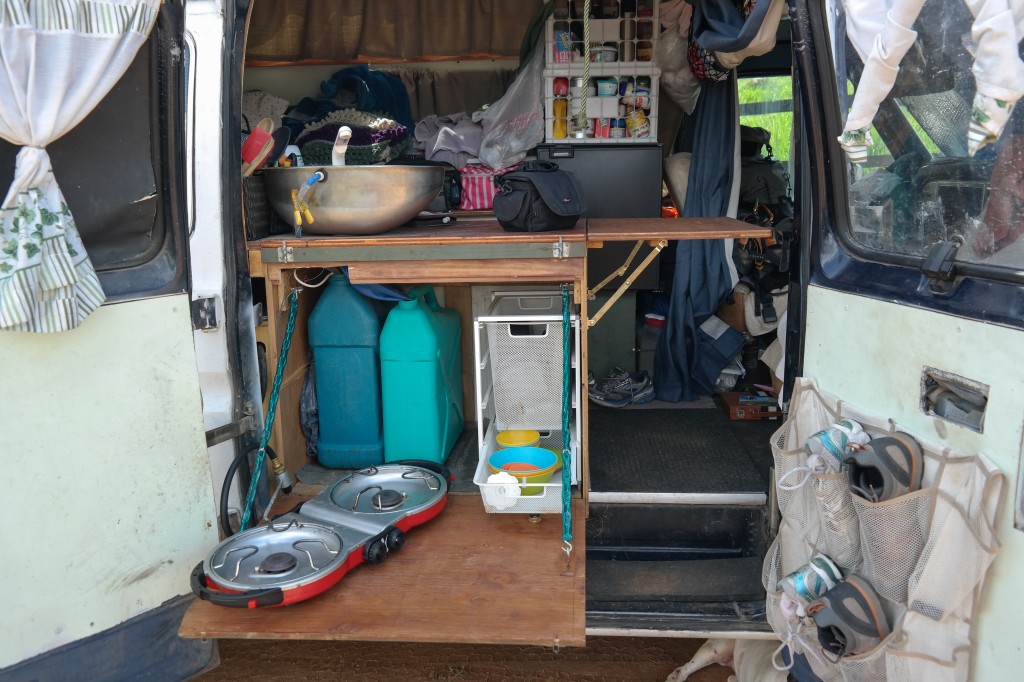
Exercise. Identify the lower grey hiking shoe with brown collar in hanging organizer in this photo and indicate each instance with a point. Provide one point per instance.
(849, 618)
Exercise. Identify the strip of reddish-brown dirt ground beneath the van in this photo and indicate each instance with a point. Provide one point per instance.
(605, 660)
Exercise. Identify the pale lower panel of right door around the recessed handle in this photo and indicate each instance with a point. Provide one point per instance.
(872, 354)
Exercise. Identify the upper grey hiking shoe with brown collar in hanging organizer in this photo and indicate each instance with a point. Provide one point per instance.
(886, 468)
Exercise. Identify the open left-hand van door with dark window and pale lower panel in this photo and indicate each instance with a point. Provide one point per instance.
(108, 485)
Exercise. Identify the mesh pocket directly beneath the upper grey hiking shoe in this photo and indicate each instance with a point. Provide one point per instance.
(892, 539)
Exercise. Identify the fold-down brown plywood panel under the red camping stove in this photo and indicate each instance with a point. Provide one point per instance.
(466, 577)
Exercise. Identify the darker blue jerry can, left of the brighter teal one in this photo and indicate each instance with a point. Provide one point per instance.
(345, 337)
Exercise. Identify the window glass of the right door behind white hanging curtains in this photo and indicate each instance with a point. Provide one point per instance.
(922, 181)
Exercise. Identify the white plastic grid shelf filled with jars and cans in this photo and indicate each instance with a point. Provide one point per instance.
(622, 93)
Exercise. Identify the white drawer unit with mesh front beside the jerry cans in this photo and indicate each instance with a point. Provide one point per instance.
(519, 347)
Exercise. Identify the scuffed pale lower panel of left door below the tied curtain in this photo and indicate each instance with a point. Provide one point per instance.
(107, 474)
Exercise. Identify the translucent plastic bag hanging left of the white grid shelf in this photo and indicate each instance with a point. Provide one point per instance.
(515, 124)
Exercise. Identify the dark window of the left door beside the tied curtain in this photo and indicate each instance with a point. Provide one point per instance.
(118, 173)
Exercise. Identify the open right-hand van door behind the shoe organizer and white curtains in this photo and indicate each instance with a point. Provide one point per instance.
(913, 308)
